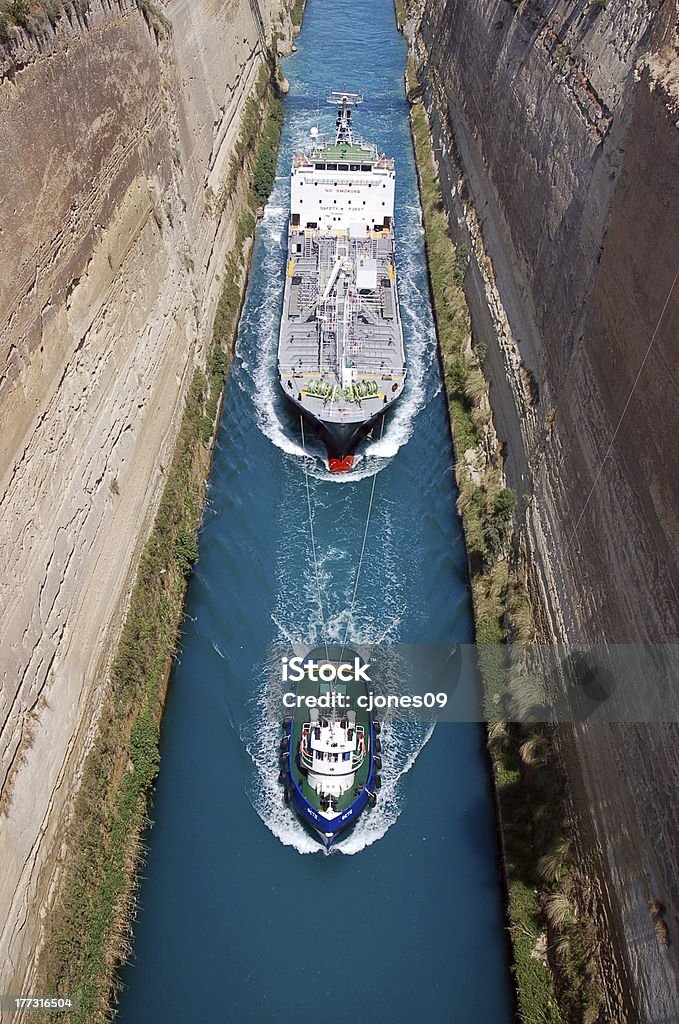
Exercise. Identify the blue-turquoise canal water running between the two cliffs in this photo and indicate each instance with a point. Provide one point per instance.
(242, 916)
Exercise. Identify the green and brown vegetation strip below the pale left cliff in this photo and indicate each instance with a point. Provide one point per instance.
(89, 928)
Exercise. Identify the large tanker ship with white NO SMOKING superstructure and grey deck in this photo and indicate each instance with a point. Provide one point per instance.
(342, 360)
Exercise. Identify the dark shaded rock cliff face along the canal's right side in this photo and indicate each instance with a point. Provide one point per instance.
(557, 130)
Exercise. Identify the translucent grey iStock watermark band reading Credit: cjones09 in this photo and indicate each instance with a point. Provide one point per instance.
(478, 684)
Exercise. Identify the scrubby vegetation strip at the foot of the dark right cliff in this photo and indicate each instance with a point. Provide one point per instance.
(556, 955)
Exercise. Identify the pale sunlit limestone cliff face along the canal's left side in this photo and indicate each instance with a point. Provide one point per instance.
(115, 142)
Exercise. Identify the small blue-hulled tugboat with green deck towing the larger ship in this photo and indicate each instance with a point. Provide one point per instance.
(330, 752)
